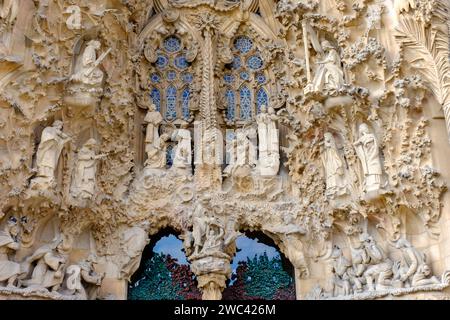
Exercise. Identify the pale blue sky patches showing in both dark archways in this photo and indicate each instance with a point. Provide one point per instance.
(246, 248)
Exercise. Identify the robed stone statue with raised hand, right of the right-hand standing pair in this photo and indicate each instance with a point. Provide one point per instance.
(369, 154)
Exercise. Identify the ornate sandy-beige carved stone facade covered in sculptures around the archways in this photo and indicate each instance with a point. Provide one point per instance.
(323, 124)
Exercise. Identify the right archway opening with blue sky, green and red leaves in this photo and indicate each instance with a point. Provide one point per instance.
(260, 271)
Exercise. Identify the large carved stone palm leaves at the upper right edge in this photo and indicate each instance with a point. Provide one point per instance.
(426, 50)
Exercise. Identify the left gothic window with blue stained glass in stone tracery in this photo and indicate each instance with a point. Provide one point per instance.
(171, 79)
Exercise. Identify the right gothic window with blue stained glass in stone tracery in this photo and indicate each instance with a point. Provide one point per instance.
(245, 81)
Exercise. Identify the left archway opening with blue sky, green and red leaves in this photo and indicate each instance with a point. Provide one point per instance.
(164, 273)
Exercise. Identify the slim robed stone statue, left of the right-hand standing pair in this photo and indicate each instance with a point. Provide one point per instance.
(334, 168)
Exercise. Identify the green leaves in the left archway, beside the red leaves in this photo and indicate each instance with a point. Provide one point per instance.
(156, 281)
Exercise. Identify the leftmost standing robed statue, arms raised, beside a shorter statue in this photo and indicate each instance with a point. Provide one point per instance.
(47, 156)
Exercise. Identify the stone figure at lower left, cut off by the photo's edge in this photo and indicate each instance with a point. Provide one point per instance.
(9, 270)
